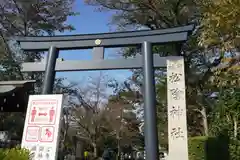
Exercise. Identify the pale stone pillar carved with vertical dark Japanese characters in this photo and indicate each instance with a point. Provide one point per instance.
(177, 119)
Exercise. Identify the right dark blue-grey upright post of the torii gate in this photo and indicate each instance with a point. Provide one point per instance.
(150, 120)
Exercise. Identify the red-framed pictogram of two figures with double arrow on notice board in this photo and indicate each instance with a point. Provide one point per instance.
(43, 112)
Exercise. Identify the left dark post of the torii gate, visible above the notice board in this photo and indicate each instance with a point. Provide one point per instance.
(50, 70)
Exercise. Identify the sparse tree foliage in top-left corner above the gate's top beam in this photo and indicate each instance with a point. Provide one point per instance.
(25, 17)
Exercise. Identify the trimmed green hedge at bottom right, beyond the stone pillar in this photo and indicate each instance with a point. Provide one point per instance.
(213, 148)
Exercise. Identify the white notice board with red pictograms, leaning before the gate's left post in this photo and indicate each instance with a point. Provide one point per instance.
(42, 126)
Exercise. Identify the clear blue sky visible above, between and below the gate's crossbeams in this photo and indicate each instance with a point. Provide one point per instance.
(89, 21)
